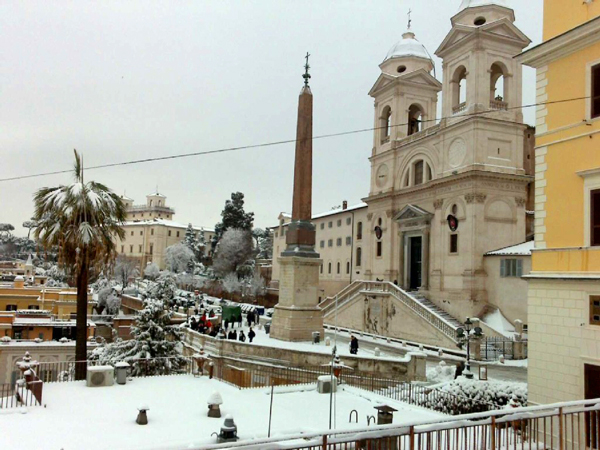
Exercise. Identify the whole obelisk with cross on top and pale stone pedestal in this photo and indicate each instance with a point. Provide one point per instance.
(298, 315)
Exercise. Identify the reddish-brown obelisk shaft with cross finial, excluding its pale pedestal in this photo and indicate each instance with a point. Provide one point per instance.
(301, 233)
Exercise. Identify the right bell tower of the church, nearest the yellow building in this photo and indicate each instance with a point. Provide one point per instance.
(480, 72)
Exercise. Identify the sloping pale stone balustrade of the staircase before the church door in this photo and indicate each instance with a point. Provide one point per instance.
(419, 305)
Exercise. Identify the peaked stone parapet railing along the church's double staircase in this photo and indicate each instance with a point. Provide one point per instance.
(385, 287)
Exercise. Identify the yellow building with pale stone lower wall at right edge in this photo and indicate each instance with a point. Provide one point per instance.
(564, 285)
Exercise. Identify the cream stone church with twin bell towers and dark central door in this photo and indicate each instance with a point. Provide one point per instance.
(446, 191)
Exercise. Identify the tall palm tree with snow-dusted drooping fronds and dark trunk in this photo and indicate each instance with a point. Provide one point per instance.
(82, 220)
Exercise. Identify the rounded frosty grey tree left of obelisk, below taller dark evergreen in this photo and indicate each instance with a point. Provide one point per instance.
(233, 252)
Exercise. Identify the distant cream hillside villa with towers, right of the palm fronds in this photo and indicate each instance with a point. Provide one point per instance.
(149, 230)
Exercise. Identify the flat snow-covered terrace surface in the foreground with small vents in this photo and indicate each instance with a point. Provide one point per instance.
(78, 417)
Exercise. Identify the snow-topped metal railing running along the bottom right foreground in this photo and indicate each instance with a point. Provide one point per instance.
(565, 426)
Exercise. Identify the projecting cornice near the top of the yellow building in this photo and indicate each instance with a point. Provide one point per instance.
(562, 45)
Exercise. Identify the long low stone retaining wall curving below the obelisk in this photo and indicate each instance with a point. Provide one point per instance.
(409, 368)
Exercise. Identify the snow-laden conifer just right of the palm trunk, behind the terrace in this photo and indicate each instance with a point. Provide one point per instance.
(155, 347)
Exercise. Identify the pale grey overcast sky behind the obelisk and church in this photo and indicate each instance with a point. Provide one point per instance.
(123, 80)
